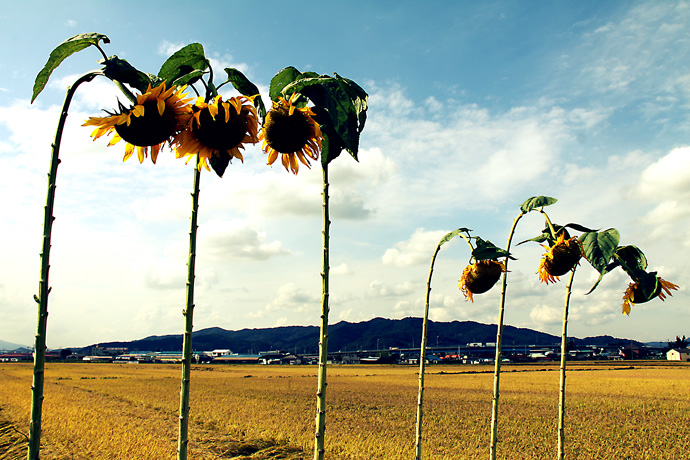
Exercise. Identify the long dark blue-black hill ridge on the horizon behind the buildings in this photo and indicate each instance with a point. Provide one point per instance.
(378, 333)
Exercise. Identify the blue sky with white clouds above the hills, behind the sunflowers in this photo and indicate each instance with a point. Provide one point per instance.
(474, 107)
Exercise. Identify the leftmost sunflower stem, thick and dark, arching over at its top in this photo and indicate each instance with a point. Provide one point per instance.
(43, 286)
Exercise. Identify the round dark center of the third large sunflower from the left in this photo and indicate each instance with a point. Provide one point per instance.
(286, 133)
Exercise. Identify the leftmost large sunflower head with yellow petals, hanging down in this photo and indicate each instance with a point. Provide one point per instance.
(157, 116)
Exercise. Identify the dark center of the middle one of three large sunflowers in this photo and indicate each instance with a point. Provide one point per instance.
(218, 134)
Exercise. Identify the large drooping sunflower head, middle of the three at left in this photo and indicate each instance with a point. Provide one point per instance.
(217, 131)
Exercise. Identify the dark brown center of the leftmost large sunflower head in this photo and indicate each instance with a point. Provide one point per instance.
(150, 129)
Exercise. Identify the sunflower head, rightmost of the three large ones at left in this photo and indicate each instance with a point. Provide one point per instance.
(291, 131)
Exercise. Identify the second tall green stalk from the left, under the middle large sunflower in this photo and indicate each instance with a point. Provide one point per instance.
(188, 313)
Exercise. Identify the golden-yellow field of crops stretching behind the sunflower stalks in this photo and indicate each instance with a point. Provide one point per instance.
(119, 411)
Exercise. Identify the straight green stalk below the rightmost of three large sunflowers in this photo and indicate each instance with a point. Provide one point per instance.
(319, 442)
